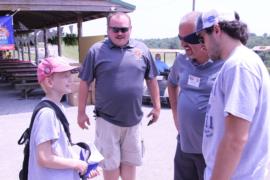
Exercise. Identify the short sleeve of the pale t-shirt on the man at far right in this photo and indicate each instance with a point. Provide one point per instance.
(241, 90)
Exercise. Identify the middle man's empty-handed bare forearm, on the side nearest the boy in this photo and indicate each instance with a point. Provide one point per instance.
(82, 118)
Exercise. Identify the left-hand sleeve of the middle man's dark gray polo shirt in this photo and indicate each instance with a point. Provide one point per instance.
(87, 69)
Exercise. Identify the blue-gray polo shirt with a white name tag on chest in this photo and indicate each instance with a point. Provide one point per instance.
(196, 81)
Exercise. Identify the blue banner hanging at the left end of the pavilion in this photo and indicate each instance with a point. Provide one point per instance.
(6, 33)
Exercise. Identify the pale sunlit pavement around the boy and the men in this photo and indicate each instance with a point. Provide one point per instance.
(159, 140)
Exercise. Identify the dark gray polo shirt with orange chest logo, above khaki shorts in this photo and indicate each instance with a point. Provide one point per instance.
(119, 74)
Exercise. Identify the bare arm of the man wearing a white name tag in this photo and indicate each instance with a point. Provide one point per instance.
(173, 91)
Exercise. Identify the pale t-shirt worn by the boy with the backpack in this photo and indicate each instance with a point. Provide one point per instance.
(47, 127)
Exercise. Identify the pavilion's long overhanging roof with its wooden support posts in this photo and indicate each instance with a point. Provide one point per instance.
(32, 15)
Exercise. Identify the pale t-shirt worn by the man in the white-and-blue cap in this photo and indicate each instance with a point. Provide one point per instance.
(242, 89)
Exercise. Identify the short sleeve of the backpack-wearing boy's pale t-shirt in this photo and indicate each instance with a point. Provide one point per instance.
(47, 126)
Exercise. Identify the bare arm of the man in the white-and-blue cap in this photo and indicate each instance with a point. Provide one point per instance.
(231, 147)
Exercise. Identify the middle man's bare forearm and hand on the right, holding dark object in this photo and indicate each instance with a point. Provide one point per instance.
(154, 92)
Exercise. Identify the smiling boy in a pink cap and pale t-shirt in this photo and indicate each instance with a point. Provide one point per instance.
(51, 156)
